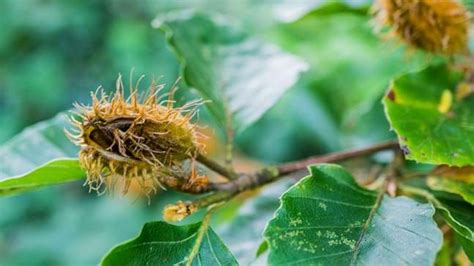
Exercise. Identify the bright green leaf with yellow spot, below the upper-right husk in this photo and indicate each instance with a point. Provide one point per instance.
(432, 128)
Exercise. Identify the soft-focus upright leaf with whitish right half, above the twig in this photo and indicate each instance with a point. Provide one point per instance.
(242, 76)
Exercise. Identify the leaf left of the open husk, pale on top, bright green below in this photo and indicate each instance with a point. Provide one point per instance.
(36, 158)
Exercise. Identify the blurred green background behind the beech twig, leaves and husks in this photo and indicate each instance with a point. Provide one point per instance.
(54, 52)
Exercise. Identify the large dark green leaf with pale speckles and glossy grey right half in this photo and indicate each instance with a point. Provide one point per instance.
(327, 218)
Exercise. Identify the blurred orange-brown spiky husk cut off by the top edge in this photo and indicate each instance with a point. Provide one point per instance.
(437, 26)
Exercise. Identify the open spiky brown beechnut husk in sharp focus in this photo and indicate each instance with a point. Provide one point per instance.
(124, 140)
